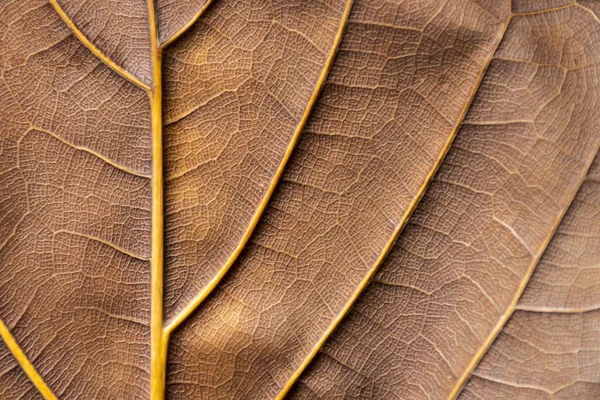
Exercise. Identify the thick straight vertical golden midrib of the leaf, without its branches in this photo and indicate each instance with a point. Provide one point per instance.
(158, 350)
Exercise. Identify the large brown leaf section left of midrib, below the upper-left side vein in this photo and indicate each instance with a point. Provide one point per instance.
(75, 228)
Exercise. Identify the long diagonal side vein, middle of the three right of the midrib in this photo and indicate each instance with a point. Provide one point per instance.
(362, 286)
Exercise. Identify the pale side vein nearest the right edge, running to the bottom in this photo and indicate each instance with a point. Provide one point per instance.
(512, 306)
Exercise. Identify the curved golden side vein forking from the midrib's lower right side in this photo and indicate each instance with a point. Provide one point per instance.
(203, 294)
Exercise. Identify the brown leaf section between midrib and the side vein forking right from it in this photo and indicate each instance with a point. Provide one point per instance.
(237, 87)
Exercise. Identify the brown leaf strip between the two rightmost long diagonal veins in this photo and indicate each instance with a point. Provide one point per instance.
(450, 281)
